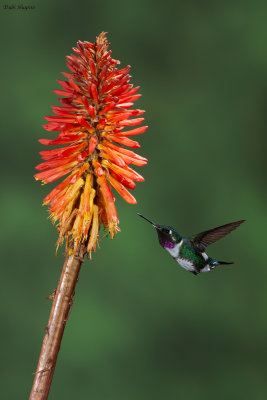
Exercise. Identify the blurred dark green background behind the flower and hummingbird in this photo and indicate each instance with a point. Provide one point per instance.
(141, 327)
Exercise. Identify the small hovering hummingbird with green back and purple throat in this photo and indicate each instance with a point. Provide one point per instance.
(190, 252)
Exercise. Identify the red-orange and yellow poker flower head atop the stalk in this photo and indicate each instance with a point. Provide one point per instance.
(95, 108)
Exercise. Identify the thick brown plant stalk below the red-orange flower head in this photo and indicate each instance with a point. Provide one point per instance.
(63, 299)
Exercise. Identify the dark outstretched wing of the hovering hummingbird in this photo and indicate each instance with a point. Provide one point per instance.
(204, 239)
